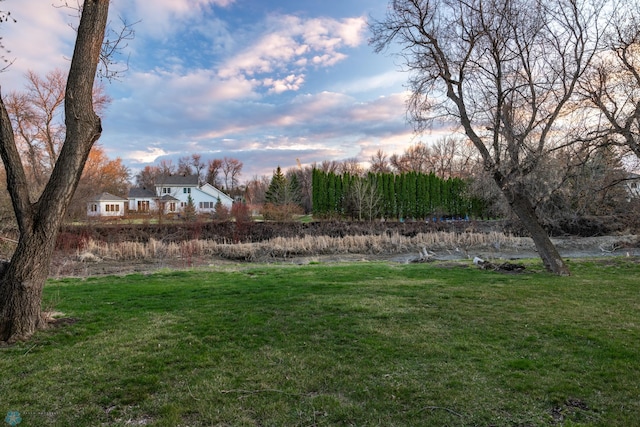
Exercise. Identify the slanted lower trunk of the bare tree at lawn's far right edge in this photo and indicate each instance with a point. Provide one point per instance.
(522, 207)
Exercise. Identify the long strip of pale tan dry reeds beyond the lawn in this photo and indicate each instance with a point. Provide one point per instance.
(306, 246)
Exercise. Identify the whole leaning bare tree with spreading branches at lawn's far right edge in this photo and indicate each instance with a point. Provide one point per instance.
(506, 71)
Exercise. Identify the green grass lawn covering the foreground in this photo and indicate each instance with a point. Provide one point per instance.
(363, 344)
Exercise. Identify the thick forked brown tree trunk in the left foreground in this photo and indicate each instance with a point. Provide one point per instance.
(23, 279)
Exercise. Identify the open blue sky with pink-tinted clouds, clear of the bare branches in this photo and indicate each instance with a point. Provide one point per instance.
(269, 83)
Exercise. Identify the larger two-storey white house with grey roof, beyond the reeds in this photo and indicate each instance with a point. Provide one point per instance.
(171, 195)
